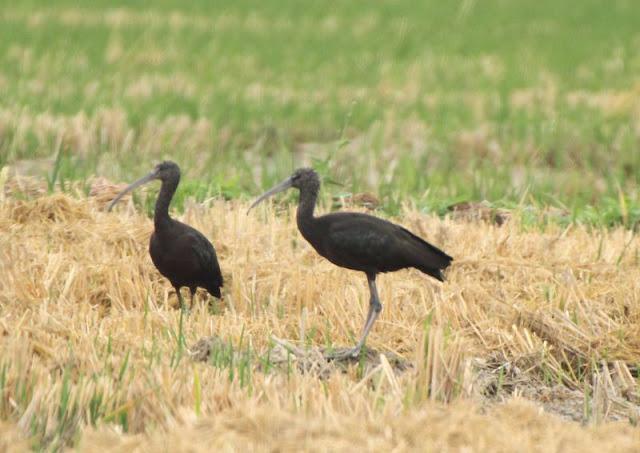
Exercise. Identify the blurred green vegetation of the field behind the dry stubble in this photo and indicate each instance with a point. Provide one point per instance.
(519, 103)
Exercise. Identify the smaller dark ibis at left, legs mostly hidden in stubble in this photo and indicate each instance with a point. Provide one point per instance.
(181, 253)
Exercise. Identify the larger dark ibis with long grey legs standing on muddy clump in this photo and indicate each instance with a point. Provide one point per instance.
(360, 242)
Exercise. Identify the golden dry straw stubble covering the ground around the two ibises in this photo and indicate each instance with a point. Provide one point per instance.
(89, 332)
